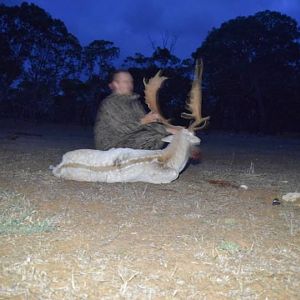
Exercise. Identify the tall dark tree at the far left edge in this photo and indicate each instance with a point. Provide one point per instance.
(45, 49)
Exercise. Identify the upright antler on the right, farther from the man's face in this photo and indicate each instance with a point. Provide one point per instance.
(194, 104)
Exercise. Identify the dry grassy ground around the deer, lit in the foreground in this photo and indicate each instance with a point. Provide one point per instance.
(202, 236)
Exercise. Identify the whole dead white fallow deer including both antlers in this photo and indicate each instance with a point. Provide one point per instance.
(132, 165)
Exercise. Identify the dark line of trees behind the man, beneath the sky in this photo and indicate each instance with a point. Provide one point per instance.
(250, 83)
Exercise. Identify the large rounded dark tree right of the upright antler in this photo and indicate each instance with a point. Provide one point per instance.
(250, 72)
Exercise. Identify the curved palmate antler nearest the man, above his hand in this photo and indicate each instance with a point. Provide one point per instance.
(151, 89)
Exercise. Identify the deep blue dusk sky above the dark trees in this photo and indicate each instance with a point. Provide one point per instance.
(138, 25)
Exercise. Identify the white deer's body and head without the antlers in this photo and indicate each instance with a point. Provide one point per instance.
(129, 165)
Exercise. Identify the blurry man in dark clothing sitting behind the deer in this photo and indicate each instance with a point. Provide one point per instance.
(122, 121)
